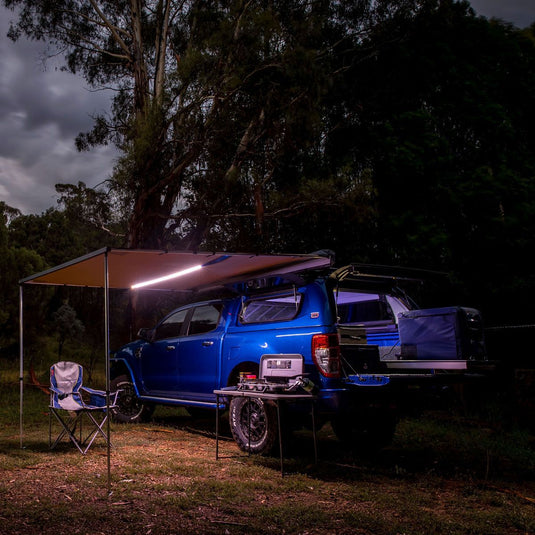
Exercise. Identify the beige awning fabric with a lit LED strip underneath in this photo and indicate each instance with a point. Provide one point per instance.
(125, 268)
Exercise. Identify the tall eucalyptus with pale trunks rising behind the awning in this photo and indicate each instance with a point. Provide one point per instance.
(219, 107)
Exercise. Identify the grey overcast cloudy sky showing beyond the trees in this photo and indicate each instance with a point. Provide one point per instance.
(43, 109)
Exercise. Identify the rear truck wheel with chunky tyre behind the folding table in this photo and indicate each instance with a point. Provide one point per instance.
(253, 423)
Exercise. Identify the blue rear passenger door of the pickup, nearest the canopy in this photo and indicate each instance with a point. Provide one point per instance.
(199, 353)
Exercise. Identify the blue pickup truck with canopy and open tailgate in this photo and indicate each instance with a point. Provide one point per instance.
(361, 343)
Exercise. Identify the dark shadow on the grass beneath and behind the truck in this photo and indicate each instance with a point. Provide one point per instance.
(431, 445)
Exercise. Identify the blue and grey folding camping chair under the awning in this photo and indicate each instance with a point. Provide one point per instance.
(67, 405)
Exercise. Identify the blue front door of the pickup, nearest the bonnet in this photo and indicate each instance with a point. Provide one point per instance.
(159, 358)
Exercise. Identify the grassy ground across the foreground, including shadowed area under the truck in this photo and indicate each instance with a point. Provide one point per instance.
(444, 474)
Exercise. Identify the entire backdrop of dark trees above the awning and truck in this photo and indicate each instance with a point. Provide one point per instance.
(390, 132)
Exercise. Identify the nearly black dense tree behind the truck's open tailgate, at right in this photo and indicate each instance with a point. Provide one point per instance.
(446, 128)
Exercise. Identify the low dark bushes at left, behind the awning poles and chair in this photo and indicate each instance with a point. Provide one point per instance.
(32, 243)
